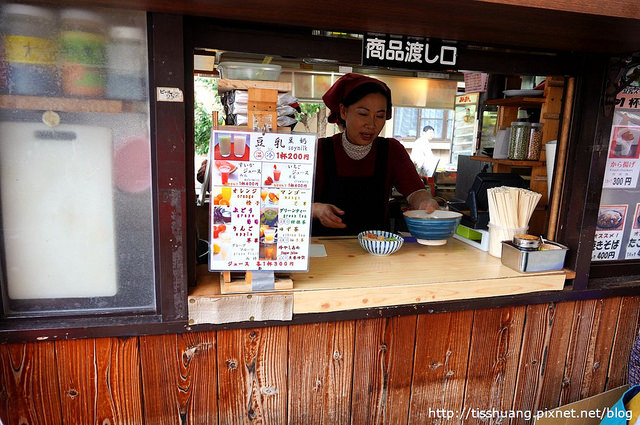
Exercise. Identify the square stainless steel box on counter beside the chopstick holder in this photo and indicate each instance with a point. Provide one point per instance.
(534, 261)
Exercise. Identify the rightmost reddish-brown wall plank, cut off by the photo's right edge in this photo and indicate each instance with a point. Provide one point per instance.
(625, 335)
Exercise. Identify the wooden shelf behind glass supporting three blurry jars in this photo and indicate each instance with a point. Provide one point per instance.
(65, 104)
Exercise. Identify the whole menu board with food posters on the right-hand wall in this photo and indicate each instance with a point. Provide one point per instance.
(617, 227)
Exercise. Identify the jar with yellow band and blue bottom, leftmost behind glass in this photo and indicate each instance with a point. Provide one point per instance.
(30, 50)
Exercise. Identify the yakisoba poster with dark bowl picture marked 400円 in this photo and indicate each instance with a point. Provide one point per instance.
(609, 232)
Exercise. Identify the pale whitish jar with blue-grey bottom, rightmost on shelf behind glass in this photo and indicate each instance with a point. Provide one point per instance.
(126, 61)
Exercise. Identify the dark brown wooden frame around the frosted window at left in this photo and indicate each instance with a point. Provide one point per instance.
(169, 199)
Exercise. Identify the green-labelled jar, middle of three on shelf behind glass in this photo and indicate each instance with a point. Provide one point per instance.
(82, 53)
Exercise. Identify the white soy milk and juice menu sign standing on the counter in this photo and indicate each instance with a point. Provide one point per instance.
(260, 200)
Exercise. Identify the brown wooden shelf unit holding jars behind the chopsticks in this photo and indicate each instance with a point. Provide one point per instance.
(550, 110)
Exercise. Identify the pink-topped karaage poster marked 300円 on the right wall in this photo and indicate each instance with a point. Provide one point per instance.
(623, 165)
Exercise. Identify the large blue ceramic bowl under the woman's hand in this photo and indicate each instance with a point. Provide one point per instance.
(433, 228)
